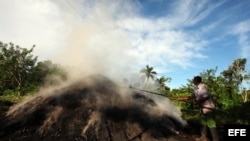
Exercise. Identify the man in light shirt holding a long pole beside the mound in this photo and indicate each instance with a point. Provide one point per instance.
(202, 97)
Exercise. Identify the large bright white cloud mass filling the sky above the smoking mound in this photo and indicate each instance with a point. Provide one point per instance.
(100, 35)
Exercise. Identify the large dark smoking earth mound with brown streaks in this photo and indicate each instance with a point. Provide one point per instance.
(93, 109)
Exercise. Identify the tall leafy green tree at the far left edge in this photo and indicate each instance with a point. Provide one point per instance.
(16, 64)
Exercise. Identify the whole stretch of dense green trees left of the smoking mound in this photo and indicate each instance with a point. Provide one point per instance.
(21, 73)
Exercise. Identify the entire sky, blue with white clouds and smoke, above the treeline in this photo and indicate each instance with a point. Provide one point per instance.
(179, 38)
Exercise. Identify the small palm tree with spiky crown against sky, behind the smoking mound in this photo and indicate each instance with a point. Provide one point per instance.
(148, 73)
